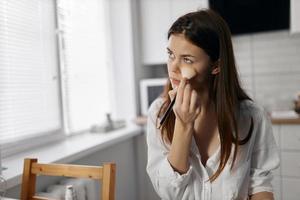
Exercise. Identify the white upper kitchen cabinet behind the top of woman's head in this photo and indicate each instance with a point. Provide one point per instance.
(157, 17)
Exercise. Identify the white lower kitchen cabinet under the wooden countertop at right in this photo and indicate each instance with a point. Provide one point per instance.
(287, 178)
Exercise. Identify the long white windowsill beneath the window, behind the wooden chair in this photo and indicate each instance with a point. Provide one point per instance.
(66, 151)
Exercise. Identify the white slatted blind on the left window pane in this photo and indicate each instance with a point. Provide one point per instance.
(29, 88)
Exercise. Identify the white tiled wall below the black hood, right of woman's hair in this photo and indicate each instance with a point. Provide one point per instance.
(269, 65)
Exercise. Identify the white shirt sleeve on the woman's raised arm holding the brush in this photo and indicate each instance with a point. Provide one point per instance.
(168, 183)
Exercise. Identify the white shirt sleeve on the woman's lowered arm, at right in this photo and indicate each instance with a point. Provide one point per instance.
(265, 157)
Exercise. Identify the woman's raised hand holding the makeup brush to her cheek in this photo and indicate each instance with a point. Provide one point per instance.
(186, 107)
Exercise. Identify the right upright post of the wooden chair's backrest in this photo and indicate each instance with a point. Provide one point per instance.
(108, 183)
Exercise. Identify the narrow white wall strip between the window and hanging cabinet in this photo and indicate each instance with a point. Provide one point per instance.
(122, 58)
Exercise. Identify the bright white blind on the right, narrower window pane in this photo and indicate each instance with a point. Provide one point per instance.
(84, 57)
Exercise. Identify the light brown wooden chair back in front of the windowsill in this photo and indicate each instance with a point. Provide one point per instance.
(32, 168)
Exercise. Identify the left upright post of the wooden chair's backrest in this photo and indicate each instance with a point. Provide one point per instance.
(28, 180)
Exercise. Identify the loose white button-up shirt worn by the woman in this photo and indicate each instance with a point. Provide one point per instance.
(252, 172)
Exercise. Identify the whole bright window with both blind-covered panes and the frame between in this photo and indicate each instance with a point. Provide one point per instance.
(50, 86)
